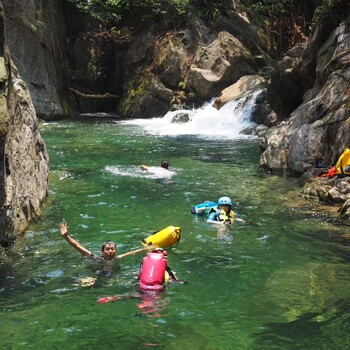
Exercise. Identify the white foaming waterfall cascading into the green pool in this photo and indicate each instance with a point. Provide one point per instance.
(206, 121)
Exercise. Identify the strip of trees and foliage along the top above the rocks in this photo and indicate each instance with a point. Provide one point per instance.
(290, 21)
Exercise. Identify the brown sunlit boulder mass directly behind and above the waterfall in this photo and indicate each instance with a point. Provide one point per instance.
(174, 69)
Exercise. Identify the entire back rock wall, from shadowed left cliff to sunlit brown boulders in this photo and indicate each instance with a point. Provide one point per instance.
(71, 66)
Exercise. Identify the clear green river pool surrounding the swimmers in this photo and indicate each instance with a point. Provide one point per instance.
(279, 280)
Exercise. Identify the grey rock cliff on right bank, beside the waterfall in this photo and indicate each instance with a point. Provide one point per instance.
(319, 128)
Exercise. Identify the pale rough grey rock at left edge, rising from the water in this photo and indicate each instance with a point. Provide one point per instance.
(24, 160)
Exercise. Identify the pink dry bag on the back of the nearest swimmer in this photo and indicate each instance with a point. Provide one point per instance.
(153, 269)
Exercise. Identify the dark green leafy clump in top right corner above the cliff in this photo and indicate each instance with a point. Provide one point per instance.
(331, 8)
